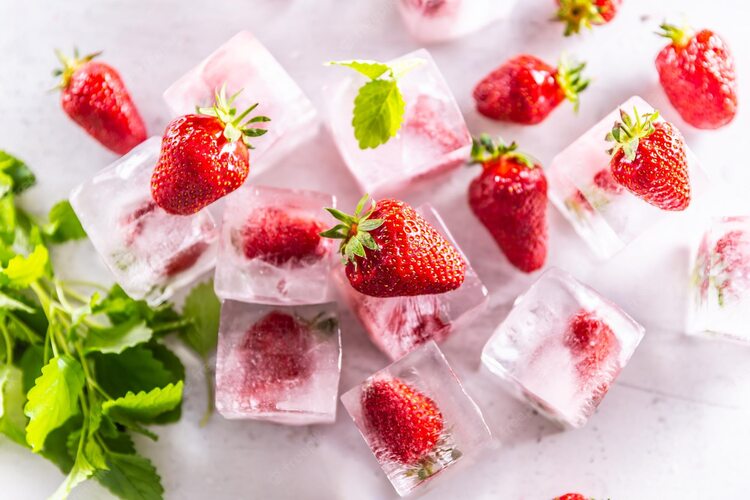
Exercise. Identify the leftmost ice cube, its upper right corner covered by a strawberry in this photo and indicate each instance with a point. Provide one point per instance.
(150, 252)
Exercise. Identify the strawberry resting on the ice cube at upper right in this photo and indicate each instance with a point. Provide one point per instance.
(649, 160)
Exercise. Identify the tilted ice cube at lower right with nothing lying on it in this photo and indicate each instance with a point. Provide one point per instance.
(561, 347)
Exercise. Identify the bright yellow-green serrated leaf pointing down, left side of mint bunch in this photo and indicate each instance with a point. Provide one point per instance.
(53, 399)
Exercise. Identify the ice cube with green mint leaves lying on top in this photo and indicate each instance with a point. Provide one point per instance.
(433, 137)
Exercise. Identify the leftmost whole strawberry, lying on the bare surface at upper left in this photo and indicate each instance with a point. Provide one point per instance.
(95, 97)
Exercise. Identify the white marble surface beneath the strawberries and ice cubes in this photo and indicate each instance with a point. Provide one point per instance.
(676, 423)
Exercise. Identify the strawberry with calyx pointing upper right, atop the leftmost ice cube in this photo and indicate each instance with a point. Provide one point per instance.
(204, 156)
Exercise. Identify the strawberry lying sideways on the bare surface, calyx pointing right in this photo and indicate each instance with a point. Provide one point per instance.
(525, 89)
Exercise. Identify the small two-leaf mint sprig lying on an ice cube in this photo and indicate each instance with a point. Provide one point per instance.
(379, 105)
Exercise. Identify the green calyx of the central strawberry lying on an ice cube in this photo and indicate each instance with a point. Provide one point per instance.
(354, 230)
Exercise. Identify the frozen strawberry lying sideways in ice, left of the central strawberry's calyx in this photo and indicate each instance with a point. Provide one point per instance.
(274, 236)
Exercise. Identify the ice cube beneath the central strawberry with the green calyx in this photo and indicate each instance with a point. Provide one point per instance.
(397, 325)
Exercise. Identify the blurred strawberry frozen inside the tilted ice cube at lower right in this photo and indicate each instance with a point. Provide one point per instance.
(591, 341)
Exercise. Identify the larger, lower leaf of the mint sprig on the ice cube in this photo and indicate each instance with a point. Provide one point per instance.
(378, 113)
